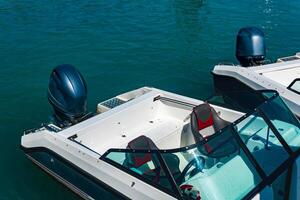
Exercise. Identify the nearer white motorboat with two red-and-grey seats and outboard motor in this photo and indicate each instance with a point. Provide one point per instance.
(153, 144)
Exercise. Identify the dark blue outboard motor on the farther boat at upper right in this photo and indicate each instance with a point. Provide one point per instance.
(250, 46)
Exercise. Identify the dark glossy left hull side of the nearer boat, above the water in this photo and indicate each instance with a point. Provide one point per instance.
(83, 184)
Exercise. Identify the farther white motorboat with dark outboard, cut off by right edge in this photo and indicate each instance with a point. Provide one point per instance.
(255, 72)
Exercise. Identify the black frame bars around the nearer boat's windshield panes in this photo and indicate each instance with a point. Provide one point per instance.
(266, 179)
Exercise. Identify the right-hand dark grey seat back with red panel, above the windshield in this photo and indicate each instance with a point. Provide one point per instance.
(205, 121)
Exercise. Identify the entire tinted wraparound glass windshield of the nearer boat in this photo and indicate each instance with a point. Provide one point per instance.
(228, 165)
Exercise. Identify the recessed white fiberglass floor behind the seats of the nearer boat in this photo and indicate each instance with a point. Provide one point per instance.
(151, 118)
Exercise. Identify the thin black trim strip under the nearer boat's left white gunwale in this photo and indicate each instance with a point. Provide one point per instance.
(76, 168)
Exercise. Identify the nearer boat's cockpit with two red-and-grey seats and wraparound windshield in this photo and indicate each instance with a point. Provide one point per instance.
(235, 160)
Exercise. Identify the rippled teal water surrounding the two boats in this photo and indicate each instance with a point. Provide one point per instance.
(118, 45)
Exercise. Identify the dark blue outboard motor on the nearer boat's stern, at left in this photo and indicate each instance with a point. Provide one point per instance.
(67, 93)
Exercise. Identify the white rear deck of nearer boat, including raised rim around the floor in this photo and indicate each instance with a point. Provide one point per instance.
(164, 122)
